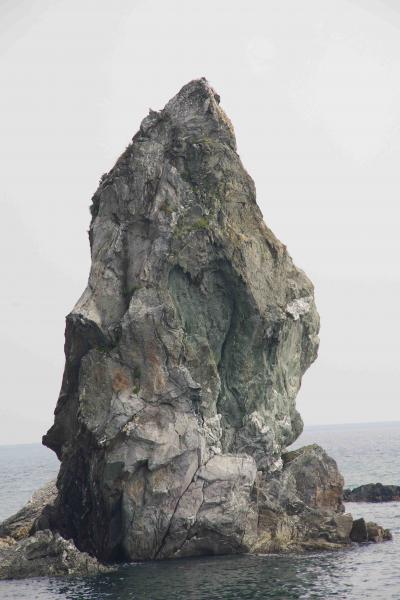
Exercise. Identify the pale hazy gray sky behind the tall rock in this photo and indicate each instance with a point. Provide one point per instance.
(313, 90)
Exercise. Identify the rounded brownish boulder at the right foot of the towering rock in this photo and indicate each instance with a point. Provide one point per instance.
(300, 508)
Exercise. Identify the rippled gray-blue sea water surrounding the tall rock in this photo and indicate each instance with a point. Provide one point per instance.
(364, 453)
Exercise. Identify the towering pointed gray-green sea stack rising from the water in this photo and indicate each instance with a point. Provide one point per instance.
(184, 356)
